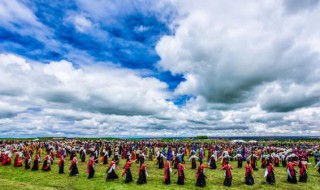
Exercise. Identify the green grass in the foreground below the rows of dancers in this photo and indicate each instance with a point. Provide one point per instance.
(19, 178)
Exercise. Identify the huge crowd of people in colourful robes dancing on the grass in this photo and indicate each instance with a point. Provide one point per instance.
(169, 156)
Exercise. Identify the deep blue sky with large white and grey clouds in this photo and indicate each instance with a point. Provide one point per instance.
(132, 68)
